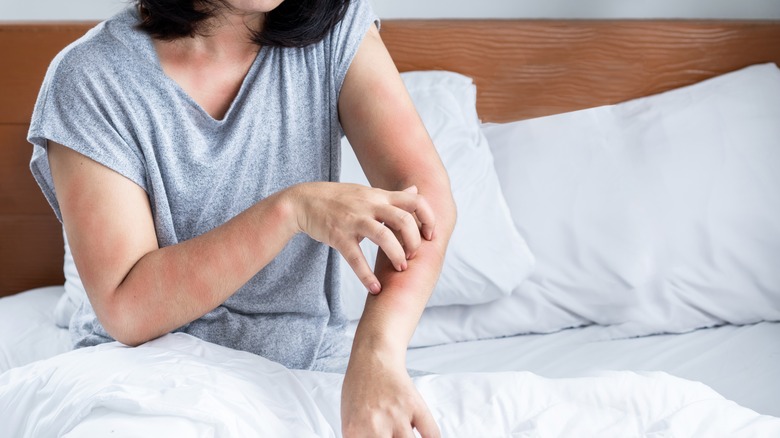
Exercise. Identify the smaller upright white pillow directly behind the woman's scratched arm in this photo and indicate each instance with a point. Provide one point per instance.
(487, 258)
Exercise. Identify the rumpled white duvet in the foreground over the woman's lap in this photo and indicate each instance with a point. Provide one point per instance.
(180, 386)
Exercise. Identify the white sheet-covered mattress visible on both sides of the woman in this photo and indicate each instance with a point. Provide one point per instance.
(741, 363)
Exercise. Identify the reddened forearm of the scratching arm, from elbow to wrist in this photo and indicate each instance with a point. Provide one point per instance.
(172, 286)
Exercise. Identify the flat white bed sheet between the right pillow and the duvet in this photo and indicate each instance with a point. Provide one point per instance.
(742, 363)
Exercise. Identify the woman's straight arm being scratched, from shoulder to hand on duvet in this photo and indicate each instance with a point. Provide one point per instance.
(396, 152)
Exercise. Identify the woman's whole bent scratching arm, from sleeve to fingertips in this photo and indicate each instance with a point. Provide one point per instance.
(140, 291)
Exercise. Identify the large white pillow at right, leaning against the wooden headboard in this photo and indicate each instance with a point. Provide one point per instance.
(657, 215)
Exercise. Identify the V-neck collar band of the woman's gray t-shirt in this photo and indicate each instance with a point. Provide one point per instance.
(138, 38)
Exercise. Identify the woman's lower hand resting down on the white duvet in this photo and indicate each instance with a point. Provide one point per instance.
(378, 400)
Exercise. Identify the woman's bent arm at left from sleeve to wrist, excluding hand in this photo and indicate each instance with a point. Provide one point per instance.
(138, 290)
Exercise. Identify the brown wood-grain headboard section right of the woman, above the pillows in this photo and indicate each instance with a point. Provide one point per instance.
(526, 69)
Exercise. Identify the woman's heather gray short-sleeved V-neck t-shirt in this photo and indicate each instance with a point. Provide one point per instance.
(107, 97)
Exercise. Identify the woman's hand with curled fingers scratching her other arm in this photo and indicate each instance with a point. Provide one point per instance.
(341, 215)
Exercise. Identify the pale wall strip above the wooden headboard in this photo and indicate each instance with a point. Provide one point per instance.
(15, 10)
